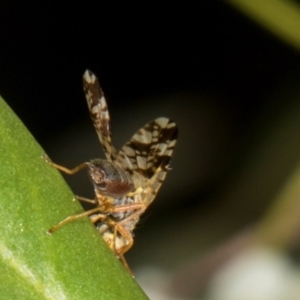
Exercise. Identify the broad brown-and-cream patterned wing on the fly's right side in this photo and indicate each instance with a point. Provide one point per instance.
(148, 154)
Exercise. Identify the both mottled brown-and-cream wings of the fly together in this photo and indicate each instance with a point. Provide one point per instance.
(147, 155)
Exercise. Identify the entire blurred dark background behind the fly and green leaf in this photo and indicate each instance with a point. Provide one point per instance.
(228, 73)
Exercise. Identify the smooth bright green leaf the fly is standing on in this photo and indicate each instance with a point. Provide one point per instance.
(72, 263)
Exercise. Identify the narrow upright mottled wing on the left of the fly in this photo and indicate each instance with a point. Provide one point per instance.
(99, 113)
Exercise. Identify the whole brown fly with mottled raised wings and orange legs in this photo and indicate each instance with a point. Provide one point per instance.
(127, 182)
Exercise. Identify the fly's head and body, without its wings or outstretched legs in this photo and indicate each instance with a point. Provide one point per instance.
(115, 183)
